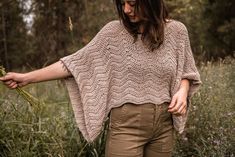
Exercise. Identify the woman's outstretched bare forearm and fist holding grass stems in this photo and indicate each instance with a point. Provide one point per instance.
(51, 72)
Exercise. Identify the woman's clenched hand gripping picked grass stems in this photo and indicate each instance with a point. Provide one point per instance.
(13, 80)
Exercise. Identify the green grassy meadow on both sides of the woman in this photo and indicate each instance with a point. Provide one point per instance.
(49, 129)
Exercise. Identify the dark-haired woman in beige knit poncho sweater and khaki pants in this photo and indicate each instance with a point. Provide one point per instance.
(138, 71)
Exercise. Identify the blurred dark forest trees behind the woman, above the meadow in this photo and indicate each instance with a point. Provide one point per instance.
(36, 33)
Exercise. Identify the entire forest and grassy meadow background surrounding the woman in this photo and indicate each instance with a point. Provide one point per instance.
(34, 34)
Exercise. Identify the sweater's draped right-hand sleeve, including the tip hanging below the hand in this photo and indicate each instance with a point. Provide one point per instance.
(186, 69)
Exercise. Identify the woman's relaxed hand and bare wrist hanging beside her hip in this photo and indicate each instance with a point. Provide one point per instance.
(178, 105)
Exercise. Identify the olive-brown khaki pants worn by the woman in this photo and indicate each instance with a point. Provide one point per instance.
(144, 130)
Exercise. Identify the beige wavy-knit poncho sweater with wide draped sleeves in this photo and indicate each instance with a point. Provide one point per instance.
(113, 69)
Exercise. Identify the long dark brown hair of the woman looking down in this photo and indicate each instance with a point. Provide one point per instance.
(153, 15)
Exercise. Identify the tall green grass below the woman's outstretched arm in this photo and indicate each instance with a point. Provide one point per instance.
(49, 130)
